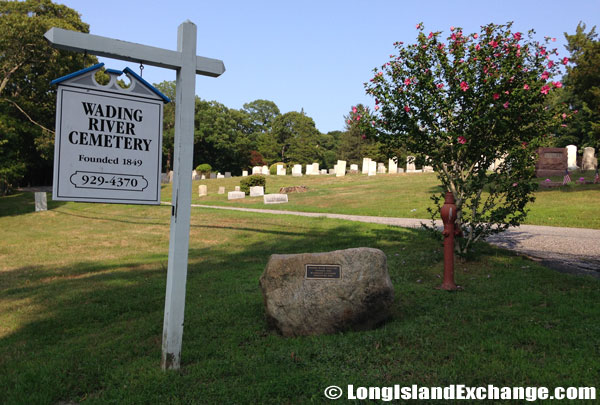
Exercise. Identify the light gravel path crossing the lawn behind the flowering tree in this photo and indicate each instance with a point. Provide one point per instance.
(569, 250)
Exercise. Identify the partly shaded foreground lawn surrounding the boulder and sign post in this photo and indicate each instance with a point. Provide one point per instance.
(82, 297)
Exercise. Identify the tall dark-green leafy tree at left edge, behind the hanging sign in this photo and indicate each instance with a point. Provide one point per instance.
(27, 101)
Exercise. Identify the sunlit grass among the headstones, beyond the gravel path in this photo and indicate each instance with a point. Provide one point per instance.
(404, 196)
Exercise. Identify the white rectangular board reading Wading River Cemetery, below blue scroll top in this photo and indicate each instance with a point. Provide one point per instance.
(107, 147)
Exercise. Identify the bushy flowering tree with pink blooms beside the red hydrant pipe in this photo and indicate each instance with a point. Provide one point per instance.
(462, 105)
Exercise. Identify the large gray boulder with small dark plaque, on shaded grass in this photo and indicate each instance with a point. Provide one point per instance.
(322, 293)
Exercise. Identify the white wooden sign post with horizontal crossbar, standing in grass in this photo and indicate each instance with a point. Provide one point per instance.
(187, 64)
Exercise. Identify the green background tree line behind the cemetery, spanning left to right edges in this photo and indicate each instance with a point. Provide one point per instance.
(226, 138)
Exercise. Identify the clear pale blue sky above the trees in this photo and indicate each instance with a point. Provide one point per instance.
(314, 55)
